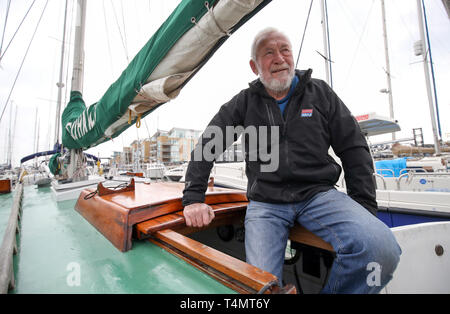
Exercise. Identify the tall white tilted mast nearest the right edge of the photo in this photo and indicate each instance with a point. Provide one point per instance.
(427, 77)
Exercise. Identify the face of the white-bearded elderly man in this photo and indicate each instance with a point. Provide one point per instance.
(274, 62)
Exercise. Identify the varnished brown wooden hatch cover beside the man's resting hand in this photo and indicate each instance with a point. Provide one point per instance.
(114, 212)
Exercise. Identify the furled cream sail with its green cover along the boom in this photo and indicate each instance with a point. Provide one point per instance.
(180, 47)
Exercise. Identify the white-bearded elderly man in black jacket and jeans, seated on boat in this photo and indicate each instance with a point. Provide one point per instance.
(310, 117)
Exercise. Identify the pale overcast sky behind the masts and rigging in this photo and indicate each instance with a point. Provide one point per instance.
(116, 31)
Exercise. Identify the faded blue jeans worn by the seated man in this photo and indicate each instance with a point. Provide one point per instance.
(366, 250)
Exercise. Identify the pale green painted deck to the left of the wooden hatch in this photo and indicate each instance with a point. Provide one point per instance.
(60, 252)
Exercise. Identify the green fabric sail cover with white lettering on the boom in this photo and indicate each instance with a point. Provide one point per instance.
(87, 127)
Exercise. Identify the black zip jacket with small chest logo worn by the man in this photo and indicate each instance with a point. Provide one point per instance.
(314, 119)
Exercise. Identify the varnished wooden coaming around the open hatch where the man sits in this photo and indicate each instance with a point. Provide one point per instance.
(169, 233)
